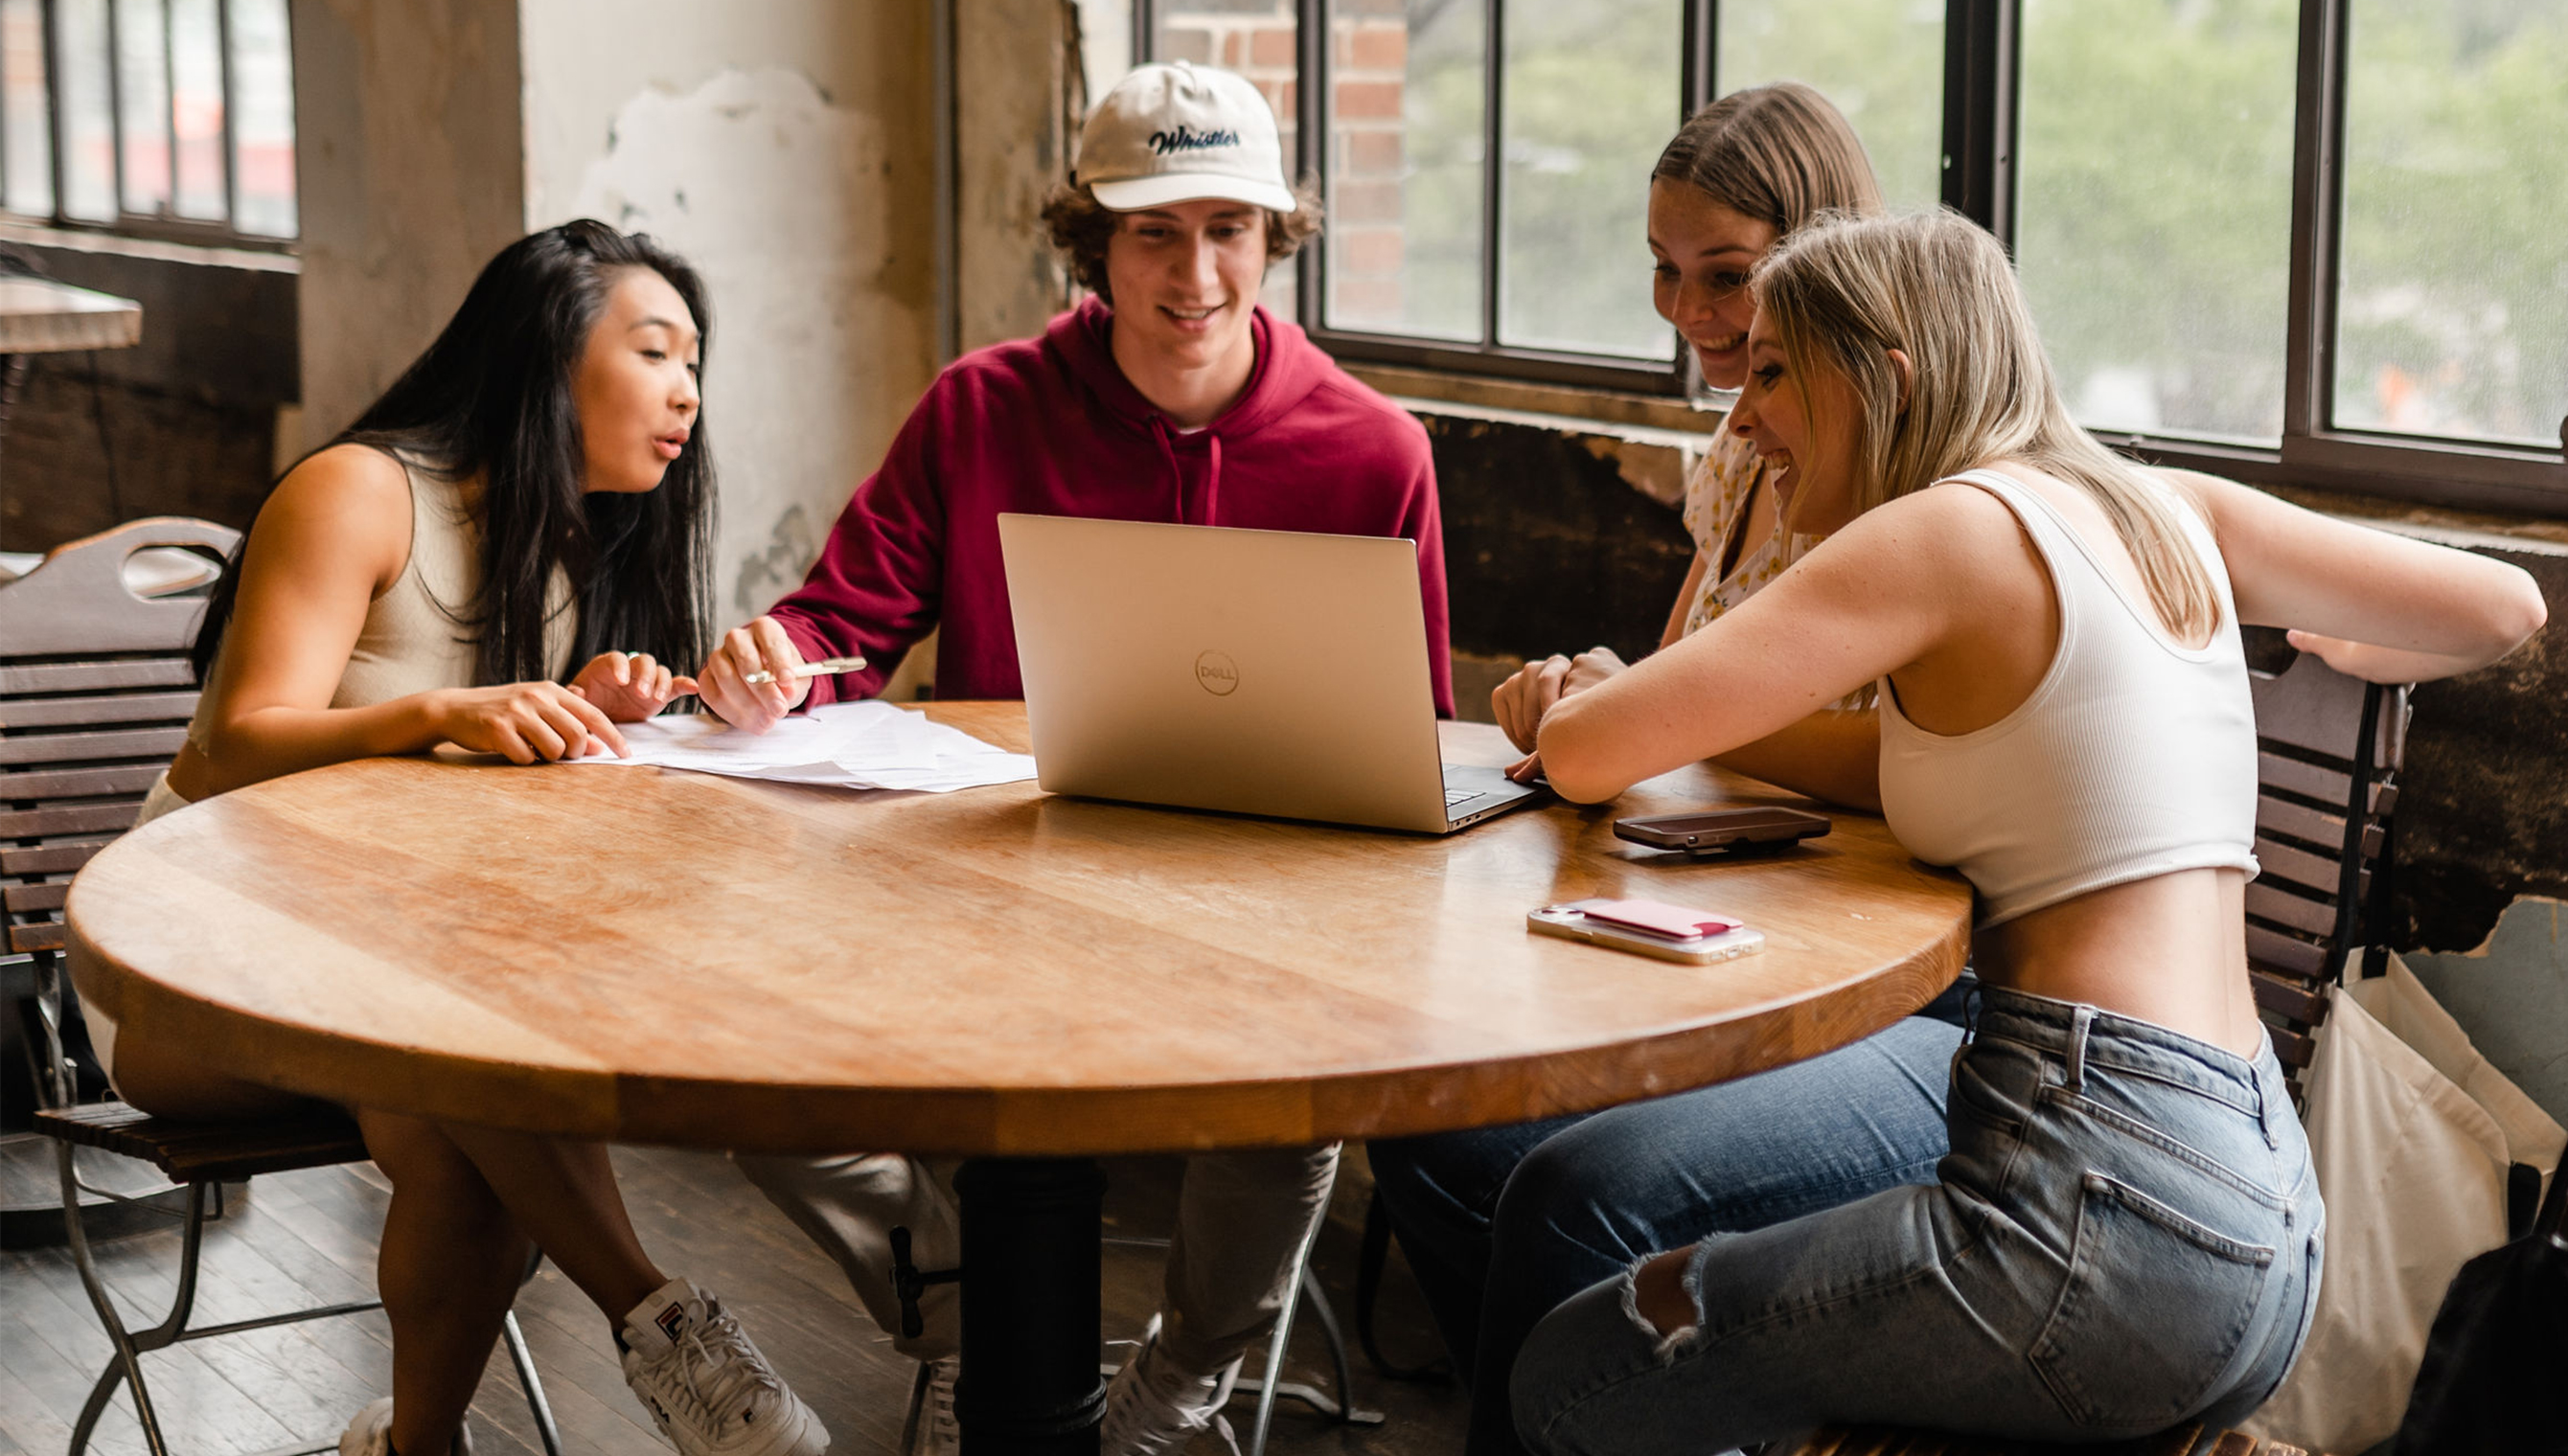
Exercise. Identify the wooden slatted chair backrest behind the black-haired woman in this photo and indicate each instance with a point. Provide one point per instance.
(96, 695)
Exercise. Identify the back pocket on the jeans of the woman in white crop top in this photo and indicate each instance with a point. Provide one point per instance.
(2151, 1313)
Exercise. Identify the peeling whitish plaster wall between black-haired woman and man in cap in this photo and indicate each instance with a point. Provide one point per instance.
(787, 150)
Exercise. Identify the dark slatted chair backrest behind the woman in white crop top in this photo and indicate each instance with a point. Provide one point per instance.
(2328, 782)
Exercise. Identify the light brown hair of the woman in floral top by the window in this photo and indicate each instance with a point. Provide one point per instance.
(1773, 153)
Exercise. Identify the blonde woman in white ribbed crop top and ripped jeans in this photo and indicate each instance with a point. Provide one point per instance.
(2128, 1231)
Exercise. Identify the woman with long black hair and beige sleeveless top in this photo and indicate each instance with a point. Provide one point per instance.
(533, 494)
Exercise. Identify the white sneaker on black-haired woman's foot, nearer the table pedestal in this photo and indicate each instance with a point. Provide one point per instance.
(707, 1385)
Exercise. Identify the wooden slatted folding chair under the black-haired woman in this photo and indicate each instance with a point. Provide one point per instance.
(96, 695)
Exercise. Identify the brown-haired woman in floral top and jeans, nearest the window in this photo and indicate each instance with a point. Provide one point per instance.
(1504, 1224)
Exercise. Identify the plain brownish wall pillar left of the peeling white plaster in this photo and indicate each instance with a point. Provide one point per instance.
(410, 178)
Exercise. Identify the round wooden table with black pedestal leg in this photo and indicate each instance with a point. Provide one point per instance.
(1003, 975)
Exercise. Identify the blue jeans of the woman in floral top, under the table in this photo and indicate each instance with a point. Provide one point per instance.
(1504, 1224)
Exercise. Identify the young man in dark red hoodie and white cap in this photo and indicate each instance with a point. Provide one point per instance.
(1167, 397)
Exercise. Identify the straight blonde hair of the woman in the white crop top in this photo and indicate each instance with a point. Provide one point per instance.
(1845, 291)
